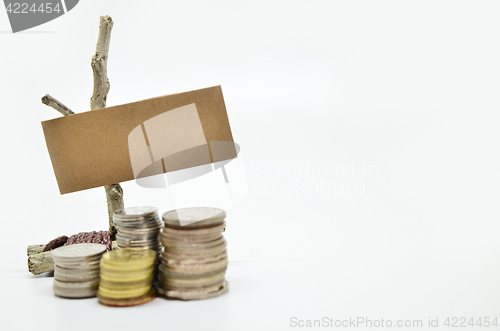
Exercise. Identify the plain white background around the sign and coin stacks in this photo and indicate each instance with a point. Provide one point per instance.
(409, 88)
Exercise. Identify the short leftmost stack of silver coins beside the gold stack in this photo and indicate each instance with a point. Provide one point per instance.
(76, 270)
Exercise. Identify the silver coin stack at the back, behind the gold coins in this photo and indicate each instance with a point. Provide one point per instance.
(138, 227)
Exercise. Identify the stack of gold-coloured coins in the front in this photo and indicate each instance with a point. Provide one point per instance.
(127, 277)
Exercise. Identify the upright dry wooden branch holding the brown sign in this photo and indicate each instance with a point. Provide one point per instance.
(114, 192)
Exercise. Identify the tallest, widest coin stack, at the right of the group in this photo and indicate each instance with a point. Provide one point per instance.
(193, 261)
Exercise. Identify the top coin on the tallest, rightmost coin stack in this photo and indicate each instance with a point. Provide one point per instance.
(193, 217)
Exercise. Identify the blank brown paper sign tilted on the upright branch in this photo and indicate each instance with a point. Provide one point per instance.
(139, 139)
